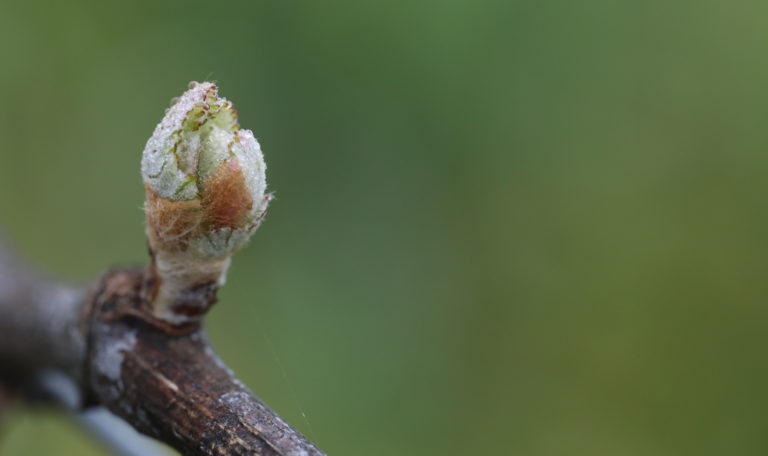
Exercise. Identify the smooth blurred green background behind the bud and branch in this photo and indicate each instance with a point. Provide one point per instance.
(500, 227)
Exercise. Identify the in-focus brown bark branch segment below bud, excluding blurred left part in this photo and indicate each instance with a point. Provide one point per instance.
(174, 387)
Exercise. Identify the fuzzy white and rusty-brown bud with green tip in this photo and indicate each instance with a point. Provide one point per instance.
(205, 184)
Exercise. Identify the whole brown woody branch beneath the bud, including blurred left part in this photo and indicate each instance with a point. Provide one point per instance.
(164, 381)
